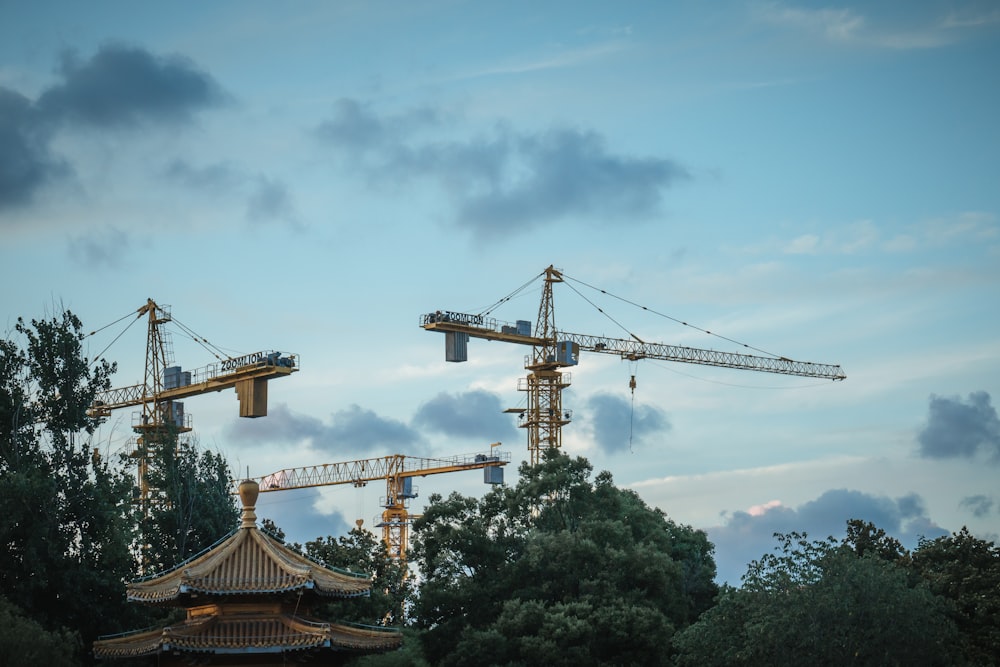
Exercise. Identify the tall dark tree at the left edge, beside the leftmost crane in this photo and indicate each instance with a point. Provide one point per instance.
(63, 566)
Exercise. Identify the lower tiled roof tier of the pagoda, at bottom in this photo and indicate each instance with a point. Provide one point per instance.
(248, 633)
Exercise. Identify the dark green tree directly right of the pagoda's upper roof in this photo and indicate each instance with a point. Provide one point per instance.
(361, 551)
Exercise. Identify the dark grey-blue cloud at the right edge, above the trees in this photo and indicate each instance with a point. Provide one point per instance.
(961, 429)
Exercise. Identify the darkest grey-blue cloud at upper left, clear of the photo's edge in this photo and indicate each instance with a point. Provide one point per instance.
(123, 86)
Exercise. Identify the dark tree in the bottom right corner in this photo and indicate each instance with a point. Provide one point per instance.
(965, 571)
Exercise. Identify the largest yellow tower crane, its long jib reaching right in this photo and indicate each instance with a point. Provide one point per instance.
(554, 349)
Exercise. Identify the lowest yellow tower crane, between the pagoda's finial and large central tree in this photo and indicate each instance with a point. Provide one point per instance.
(398, 471)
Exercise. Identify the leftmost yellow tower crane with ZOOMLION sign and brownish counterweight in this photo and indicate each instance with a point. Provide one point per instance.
(164, 385)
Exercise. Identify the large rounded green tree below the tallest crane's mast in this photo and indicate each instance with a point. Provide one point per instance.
(559, 570)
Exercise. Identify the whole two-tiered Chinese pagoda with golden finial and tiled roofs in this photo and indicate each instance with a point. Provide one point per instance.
(248, 601)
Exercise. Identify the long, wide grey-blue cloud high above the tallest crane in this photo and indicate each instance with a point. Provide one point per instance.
(509, 181)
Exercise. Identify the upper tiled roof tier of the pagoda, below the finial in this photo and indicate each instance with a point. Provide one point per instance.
(248, 562)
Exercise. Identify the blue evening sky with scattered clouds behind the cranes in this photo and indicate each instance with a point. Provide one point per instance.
(815, 180)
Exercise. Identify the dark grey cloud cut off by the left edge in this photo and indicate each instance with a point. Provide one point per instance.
(26, 163)
